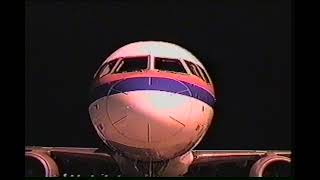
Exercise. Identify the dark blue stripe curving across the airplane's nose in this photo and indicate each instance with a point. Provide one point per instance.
(153, 83)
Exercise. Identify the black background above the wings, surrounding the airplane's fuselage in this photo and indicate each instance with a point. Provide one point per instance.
(245, 45)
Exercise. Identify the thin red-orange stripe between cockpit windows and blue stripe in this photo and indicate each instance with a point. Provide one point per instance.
(192, 79)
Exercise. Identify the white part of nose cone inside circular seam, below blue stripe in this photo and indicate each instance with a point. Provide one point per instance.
(148, 116)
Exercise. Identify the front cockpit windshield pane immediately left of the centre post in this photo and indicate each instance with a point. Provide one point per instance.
(131, 64)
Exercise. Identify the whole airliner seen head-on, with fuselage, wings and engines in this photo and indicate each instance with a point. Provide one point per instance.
(152, 103)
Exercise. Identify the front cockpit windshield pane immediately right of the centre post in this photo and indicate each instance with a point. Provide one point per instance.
(166, 64)
